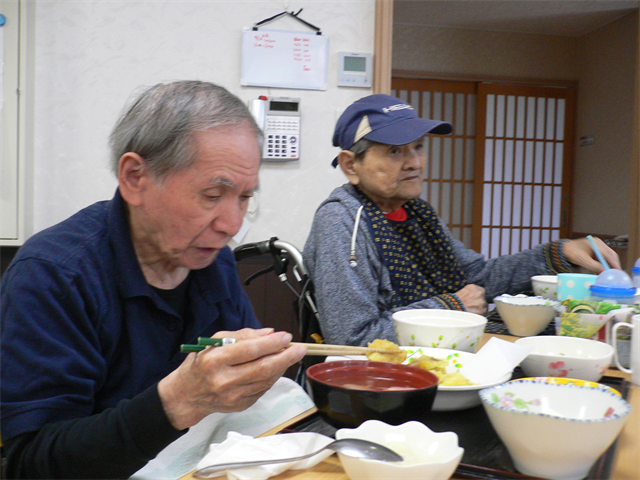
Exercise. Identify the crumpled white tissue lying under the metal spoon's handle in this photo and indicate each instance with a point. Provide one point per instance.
(243, 448)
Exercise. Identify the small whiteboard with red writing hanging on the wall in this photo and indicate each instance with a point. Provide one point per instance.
(284, 59)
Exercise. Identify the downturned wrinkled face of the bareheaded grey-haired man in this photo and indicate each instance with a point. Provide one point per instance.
(192, 214)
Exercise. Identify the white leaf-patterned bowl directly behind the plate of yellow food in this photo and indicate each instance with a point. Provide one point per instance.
(439, 328)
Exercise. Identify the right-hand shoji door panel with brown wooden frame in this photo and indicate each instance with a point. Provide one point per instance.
(525, 135)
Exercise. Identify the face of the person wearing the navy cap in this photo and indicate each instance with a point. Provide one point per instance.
(391, 175)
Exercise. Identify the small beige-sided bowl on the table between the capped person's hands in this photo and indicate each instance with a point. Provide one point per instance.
(525, 316)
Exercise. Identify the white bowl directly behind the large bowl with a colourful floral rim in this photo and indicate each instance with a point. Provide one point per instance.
(573, 357)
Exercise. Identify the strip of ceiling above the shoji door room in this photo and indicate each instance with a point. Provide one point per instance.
(572, 18)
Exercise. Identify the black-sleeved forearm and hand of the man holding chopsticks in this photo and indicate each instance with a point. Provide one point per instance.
(116, 443)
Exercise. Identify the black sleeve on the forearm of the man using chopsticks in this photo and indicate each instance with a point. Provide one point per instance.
(111, 445)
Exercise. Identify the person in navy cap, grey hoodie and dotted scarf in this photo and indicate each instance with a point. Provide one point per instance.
(375, 247)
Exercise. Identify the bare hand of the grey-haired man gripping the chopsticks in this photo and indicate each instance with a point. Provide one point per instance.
(229, 378)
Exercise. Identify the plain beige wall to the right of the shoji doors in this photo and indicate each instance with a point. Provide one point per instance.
(602, 188)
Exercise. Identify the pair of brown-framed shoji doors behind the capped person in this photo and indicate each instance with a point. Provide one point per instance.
(502, 180)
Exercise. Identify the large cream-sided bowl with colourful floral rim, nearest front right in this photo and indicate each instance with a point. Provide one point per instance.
(555, 430)
